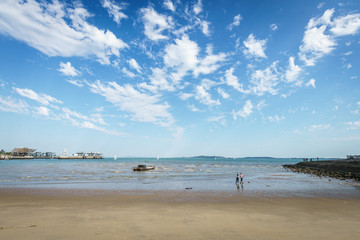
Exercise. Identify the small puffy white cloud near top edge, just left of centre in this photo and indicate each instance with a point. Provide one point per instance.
(155, 24)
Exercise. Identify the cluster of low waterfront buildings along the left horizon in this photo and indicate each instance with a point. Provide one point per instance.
(29, 153)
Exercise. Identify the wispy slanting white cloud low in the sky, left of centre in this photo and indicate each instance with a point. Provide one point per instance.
(142, 106)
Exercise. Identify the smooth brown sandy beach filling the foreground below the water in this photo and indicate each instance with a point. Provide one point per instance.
(179, 215)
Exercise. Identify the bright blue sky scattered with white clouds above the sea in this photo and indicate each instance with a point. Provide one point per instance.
(181, 78)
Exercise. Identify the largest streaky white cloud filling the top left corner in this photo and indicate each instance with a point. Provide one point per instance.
(44, 26)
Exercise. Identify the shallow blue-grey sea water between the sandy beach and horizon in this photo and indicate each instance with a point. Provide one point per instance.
(262, 176)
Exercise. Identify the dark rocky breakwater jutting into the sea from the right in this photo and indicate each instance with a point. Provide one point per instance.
(341, 169)
